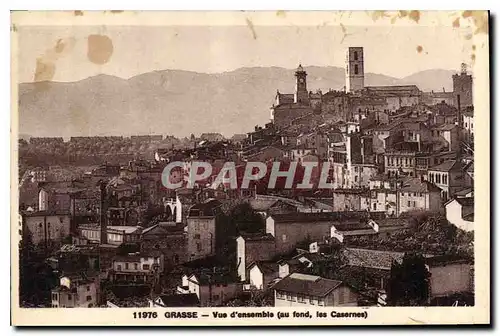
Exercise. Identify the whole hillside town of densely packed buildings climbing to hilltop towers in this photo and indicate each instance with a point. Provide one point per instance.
(98, 227)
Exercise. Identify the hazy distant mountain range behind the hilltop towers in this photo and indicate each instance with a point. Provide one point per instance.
(177, 102)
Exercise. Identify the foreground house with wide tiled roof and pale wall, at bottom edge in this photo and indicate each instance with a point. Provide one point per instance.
(303, 290)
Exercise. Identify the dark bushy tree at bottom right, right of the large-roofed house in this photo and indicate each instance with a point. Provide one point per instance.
(409, 282)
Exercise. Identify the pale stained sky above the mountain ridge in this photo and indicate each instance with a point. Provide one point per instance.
(392, 50)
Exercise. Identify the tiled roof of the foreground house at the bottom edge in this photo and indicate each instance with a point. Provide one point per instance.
(310, 285)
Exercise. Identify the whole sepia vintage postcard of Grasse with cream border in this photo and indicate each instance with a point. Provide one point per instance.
(250, 168)
